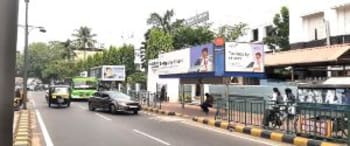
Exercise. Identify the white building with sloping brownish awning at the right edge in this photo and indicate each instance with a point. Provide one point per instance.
(319, 39)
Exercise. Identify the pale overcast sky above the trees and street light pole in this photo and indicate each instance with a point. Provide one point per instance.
(112, 19)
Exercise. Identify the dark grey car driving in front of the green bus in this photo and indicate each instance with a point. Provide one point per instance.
(113, 101)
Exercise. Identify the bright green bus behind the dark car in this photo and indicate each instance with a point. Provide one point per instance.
(83, 87)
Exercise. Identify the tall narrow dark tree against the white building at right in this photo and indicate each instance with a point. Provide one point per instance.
(278, 36)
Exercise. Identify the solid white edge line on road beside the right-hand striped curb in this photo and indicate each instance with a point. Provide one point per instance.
(234, 134)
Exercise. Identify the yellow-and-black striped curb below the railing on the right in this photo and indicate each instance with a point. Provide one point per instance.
(275, 136)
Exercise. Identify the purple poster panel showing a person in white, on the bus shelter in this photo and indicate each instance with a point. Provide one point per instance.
(202, 58)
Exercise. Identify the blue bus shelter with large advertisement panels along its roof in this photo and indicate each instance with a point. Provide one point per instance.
(212, 63)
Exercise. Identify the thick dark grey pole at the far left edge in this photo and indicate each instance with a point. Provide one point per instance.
(8, 39)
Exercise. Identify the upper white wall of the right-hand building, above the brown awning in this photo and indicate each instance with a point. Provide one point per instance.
(314, 20)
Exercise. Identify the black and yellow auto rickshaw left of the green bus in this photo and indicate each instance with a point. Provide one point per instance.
(58, 94)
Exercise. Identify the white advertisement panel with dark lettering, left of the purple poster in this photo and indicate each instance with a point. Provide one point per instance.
(174, 62)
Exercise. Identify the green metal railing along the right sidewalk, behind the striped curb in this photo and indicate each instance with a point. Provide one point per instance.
(312, 120)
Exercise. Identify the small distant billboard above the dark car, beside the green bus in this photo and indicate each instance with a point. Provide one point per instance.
(113, 73)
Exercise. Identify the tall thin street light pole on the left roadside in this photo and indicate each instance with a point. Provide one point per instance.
(25, 76)
